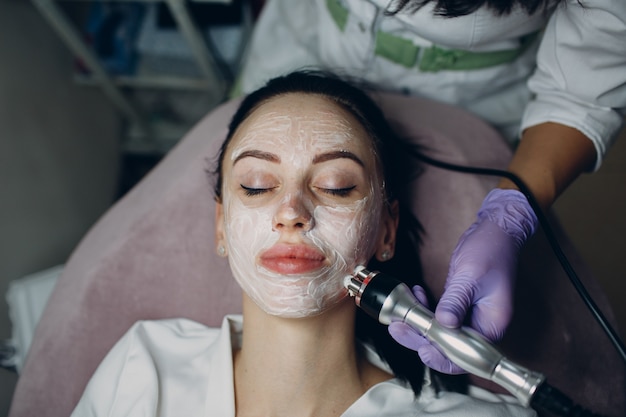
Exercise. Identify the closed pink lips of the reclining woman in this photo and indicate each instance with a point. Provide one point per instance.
(292, 259)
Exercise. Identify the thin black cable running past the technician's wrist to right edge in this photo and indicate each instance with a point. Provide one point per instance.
(543, 221)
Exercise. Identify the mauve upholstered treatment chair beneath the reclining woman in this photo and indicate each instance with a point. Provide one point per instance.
(152, 256)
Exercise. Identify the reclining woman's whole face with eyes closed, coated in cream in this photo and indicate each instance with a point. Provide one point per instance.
(302, 204)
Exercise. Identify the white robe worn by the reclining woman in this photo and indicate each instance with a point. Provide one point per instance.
(179, 368)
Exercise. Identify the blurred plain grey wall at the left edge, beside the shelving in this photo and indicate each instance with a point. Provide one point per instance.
(59, 155)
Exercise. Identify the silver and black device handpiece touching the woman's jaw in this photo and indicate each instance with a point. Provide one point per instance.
(388, 299)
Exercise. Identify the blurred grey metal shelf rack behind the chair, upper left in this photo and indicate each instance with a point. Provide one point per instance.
(209, 73)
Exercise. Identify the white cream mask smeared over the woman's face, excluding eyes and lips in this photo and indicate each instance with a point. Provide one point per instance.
(344, 234)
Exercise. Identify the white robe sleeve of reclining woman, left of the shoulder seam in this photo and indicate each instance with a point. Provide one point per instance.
(122, 378)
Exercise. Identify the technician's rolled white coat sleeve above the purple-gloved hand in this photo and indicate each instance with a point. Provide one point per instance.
(581, 71)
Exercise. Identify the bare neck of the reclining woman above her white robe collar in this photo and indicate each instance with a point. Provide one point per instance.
(293, 367)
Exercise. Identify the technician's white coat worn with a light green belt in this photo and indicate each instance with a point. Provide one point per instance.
(581, 59)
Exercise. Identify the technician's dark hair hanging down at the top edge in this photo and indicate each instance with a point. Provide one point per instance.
(456, 8)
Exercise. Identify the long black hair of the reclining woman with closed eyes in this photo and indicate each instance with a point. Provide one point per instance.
(394, 158)
